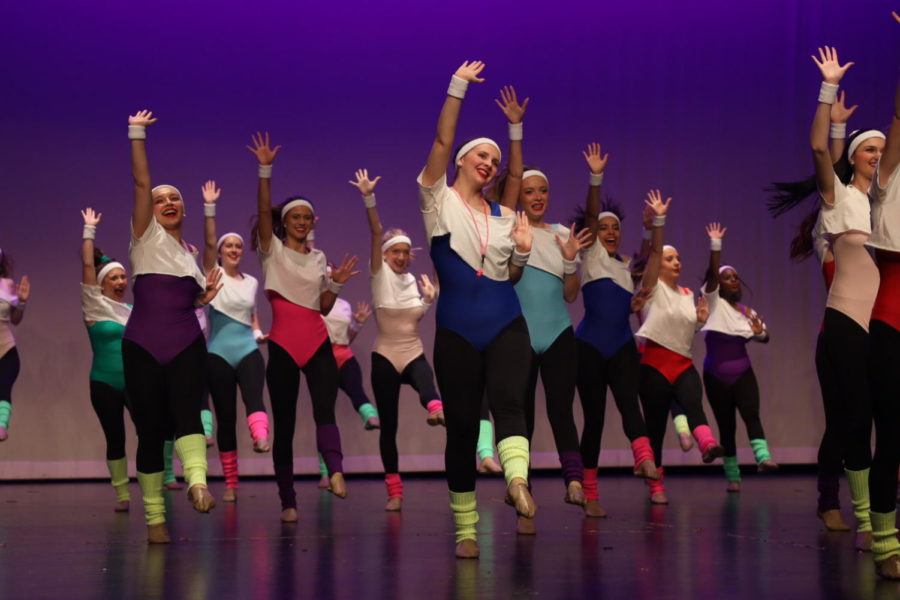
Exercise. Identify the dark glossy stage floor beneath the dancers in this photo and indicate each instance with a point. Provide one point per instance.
(62, 540)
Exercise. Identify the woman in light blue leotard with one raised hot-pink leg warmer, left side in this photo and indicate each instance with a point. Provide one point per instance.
(234, 359)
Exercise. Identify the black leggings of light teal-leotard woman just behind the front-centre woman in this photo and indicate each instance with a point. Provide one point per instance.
(558, 368)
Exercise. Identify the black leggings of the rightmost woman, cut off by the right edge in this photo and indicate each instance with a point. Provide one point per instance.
(886, 411)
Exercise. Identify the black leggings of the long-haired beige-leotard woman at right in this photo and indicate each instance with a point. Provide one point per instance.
(846, 347)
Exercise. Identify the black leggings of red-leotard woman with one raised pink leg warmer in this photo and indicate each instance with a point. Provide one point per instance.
(657, 395)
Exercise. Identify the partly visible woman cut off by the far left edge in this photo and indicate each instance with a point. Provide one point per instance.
(13, 299)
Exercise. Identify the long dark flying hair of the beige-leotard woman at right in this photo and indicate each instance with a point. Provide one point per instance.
(787, 195)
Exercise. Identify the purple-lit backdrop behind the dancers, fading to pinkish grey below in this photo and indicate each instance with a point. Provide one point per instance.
(708, 101)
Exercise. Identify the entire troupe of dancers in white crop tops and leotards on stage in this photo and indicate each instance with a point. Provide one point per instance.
(502, 277)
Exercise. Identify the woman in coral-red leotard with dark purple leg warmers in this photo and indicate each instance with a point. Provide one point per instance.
(300, 290)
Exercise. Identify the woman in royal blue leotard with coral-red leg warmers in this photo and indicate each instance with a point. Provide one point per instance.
(607, 354)
